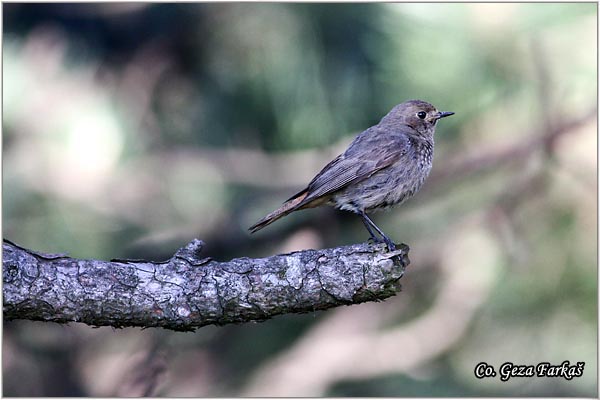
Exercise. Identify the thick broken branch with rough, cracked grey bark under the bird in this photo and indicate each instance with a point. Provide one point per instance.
(188, 291)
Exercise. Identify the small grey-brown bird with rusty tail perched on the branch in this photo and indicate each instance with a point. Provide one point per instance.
(384, 165)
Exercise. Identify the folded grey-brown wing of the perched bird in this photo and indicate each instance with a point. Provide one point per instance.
(369, 153)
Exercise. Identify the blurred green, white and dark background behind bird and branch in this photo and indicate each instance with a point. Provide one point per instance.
(131, 128)
